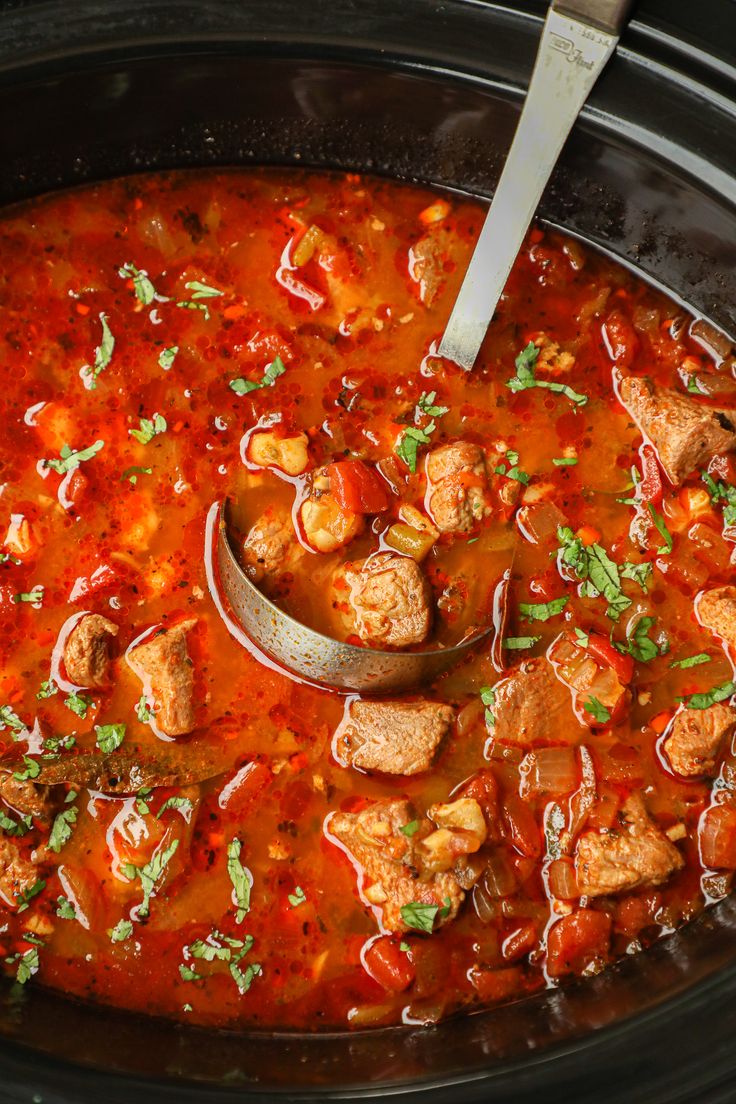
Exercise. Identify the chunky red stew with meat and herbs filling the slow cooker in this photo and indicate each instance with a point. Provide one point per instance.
(153, 331)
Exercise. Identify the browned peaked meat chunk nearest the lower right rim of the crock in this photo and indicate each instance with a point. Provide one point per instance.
(635, 853)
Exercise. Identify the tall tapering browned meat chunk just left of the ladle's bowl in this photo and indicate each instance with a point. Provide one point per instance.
(164, 666)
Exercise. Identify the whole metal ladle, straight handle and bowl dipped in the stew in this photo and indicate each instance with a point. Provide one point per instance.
(578, 40)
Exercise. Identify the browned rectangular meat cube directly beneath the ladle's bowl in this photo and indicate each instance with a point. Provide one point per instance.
(393, 737)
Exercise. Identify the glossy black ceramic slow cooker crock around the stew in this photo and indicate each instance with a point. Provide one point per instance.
(419, 90)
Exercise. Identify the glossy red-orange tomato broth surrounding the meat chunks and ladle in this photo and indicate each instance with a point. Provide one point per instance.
(132, 549)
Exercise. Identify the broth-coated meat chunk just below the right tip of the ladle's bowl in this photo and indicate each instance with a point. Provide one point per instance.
(531, 705)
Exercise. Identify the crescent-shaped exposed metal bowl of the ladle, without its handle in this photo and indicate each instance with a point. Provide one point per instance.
(319, 659)
